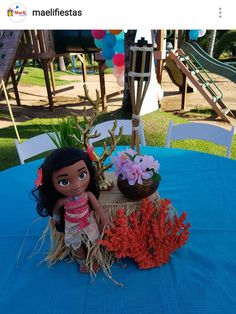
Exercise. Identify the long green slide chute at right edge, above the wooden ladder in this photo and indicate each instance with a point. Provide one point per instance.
(207, 62)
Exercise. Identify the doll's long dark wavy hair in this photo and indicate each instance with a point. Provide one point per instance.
(46, 195)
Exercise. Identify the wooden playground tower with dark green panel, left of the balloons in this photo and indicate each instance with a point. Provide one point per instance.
(45, 45)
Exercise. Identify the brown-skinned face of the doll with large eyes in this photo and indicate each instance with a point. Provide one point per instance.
(72, 180)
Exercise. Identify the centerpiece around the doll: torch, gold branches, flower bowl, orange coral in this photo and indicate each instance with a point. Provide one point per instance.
(146, 229)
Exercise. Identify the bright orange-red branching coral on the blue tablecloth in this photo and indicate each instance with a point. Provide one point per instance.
(149, 236)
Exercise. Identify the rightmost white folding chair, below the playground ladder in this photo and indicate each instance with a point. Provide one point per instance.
(201, 131)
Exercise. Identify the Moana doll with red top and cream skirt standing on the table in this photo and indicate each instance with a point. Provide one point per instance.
(68, 191)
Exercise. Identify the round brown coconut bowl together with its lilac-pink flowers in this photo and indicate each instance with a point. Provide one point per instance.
(137, 176)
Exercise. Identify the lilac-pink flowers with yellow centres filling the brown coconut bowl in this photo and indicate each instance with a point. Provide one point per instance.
(135, 168)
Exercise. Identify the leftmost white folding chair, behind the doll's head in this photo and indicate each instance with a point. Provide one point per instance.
(34, 146)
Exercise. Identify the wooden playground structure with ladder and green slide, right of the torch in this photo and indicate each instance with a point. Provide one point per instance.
(192, 64)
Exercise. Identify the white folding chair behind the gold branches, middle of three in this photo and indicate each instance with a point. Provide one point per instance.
(104, 127)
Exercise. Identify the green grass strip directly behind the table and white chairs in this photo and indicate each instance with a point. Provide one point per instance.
(155, 128)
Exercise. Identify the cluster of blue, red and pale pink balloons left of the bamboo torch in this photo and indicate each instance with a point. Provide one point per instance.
(111, 42)
